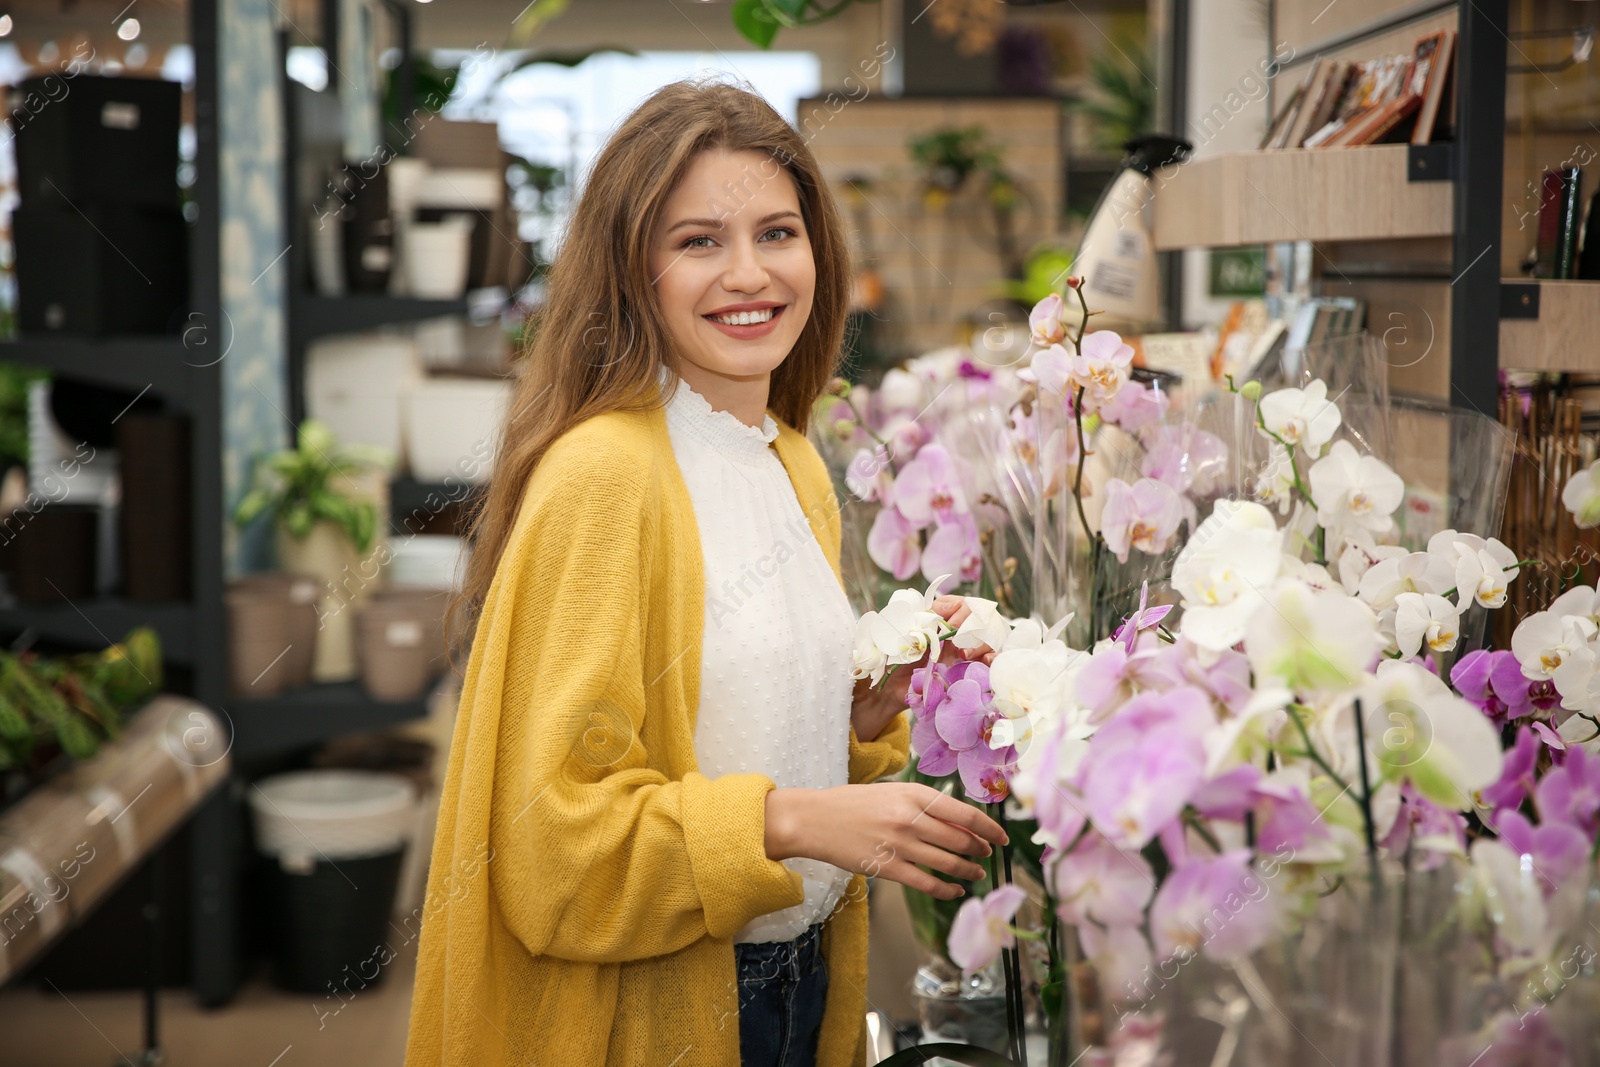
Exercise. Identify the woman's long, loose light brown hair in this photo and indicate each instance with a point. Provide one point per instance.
(601, 340)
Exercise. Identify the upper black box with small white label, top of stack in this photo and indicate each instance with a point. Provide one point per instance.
(97, 142)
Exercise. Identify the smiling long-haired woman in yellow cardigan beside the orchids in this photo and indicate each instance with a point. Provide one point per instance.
(662, 802)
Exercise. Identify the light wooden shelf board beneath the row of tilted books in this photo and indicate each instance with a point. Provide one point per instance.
(1298, 194)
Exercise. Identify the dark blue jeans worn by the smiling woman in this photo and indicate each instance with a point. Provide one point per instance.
(783, 986)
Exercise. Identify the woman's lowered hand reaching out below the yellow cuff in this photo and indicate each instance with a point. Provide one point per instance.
(884, 829)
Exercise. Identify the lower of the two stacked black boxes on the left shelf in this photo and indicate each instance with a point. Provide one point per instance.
(100, 271)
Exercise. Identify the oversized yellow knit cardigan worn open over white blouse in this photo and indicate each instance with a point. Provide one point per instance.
(588, 879)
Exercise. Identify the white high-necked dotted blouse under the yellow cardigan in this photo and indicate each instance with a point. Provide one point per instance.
(775, 665)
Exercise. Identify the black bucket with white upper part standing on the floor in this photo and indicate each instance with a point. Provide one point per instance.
(338, 839)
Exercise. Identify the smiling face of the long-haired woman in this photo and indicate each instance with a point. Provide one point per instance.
(732, 268)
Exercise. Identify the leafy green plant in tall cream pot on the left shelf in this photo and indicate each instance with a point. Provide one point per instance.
(327, 502)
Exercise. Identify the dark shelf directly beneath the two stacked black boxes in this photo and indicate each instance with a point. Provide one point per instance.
(137, 364)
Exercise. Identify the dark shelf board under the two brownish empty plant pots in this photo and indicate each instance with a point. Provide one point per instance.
(313, 716)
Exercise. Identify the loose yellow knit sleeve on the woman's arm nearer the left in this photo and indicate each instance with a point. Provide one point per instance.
(598, 857)
